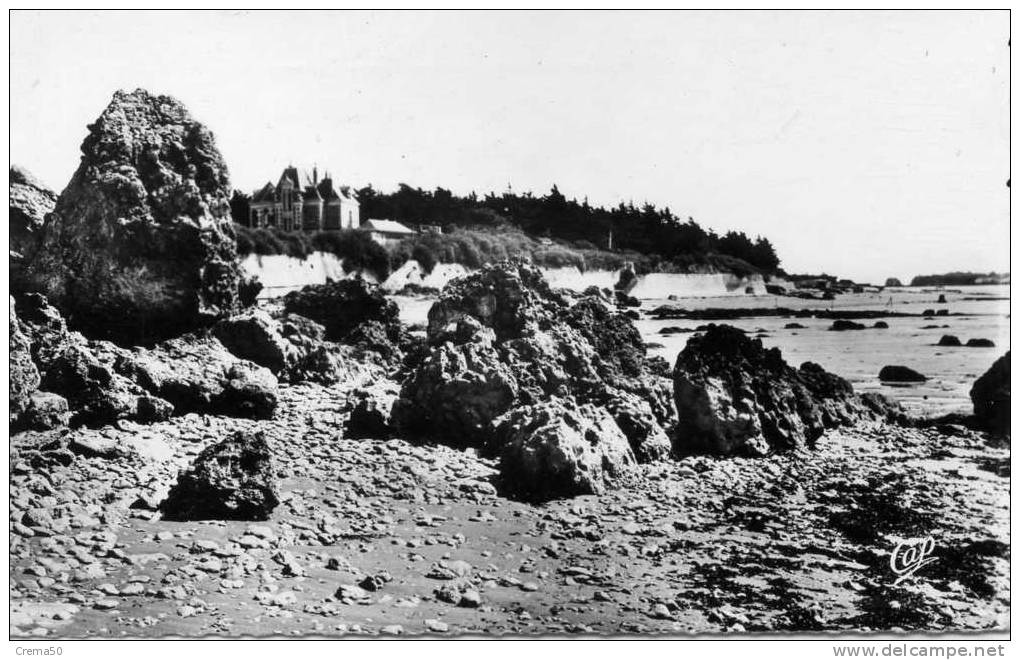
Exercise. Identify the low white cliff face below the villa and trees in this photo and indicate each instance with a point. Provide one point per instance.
(281, 275)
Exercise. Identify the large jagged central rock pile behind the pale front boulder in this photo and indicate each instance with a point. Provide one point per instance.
(502, 338)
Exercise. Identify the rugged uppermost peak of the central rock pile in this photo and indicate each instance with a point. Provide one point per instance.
(512, 298)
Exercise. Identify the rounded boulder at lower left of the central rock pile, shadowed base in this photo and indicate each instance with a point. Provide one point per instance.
(455, 394)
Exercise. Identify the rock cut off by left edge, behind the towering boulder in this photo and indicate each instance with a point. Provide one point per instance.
(31, 202)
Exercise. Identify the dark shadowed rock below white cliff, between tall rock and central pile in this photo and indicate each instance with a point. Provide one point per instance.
(341, 307)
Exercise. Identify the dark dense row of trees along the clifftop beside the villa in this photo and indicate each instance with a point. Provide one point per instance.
(647, 230)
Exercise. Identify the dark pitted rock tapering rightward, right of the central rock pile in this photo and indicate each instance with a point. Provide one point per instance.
(734, 396)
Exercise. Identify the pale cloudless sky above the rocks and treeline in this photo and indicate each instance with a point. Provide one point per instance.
(868, 145)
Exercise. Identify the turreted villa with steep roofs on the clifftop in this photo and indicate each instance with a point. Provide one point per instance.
(301, 201)
